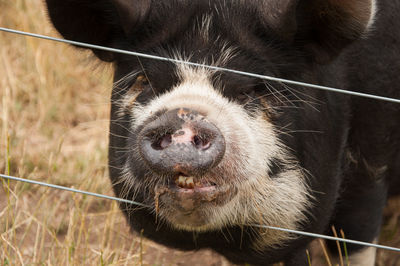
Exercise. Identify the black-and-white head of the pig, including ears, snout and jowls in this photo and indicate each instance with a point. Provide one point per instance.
(212, 152)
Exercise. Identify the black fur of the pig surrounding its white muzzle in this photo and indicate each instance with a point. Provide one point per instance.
(351, 147)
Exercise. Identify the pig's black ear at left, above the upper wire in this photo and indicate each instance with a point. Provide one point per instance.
(100, 22)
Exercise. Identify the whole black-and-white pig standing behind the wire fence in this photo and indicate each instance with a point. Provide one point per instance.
(214, 153)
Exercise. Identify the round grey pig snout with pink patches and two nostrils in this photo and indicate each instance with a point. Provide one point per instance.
(181, 141)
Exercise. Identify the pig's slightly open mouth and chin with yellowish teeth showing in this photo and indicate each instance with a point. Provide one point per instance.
(188, 199)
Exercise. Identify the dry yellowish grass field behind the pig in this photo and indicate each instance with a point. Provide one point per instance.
(53, 128)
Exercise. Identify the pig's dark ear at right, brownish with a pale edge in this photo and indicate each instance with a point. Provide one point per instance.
(322, 27)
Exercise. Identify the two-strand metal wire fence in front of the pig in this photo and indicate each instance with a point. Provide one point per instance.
(264, 77)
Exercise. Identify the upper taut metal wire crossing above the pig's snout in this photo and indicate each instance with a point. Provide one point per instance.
(287, 81)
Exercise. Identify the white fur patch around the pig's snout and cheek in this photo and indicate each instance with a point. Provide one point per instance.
(251, 145)
